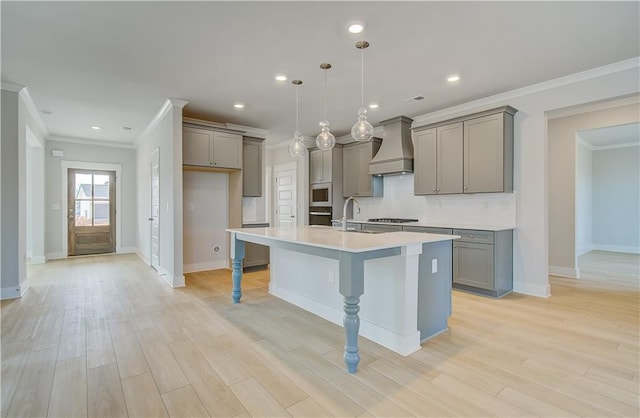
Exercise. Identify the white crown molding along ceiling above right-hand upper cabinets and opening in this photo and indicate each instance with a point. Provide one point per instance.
(439, 115)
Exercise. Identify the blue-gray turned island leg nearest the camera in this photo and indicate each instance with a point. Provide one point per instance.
(351, 287)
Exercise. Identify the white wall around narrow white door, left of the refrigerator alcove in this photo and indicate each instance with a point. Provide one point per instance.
(164, 133)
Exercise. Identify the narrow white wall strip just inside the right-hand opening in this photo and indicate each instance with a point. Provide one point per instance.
(584, 199)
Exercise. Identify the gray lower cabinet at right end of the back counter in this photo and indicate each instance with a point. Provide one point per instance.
(483, 261)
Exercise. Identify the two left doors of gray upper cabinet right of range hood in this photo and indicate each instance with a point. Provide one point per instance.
(438, 154)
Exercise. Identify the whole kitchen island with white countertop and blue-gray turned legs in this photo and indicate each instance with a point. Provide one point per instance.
(393, 288)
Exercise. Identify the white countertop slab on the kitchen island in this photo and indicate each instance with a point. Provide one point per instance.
(336, 239)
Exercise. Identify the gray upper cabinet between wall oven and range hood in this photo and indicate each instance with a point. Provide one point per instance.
(356, 180)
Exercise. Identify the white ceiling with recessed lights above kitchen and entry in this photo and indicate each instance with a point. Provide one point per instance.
(114, 63)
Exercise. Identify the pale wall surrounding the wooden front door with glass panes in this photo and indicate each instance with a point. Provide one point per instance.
(77, 153)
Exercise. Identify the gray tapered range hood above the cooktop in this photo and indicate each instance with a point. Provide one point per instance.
(395, 155)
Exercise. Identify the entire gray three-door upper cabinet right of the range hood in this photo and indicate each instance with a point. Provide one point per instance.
(470, 154)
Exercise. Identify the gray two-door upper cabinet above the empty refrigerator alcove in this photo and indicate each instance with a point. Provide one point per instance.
(208, 148)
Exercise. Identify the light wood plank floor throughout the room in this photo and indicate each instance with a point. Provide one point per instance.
(103, 336)
